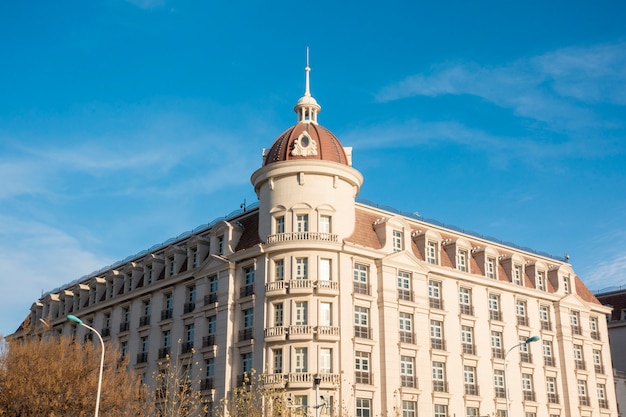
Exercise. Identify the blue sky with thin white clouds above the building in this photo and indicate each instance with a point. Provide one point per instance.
(126, 123)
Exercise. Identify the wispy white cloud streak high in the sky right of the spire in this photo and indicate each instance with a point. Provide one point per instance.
(558, 88)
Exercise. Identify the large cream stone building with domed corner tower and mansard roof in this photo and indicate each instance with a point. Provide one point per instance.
(379, 313)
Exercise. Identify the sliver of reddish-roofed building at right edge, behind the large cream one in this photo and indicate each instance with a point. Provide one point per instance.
(616, 299)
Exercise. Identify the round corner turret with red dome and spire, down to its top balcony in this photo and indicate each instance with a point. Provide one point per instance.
(306, 183)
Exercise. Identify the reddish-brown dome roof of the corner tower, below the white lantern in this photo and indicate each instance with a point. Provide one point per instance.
(306, 140)
